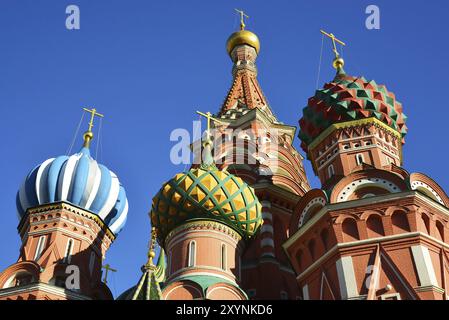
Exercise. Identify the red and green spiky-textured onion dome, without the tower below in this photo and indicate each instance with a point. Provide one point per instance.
(349, 98)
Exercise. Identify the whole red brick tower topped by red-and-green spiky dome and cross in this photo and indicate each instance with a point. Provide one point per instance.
(373, 231)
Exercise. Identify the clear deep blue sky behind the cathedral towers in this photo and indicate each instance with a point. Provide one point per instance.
(149, 65)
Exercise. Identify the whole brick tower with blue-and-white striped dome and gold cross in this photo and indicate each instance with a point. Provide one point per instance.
(71, 209)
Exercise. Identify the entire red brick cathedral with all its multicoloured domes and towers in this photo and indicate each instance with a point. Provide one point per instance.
(252, 230)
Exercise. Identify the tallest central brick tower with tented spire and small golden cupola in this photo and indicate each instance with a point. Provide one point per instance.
(258, 148)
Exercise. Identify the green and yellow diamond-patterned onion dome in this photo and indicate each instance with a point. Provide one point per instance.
(206, 193)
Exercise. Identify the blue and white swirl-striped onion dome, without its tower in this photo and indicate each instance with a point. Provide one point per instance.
(79, 180)
